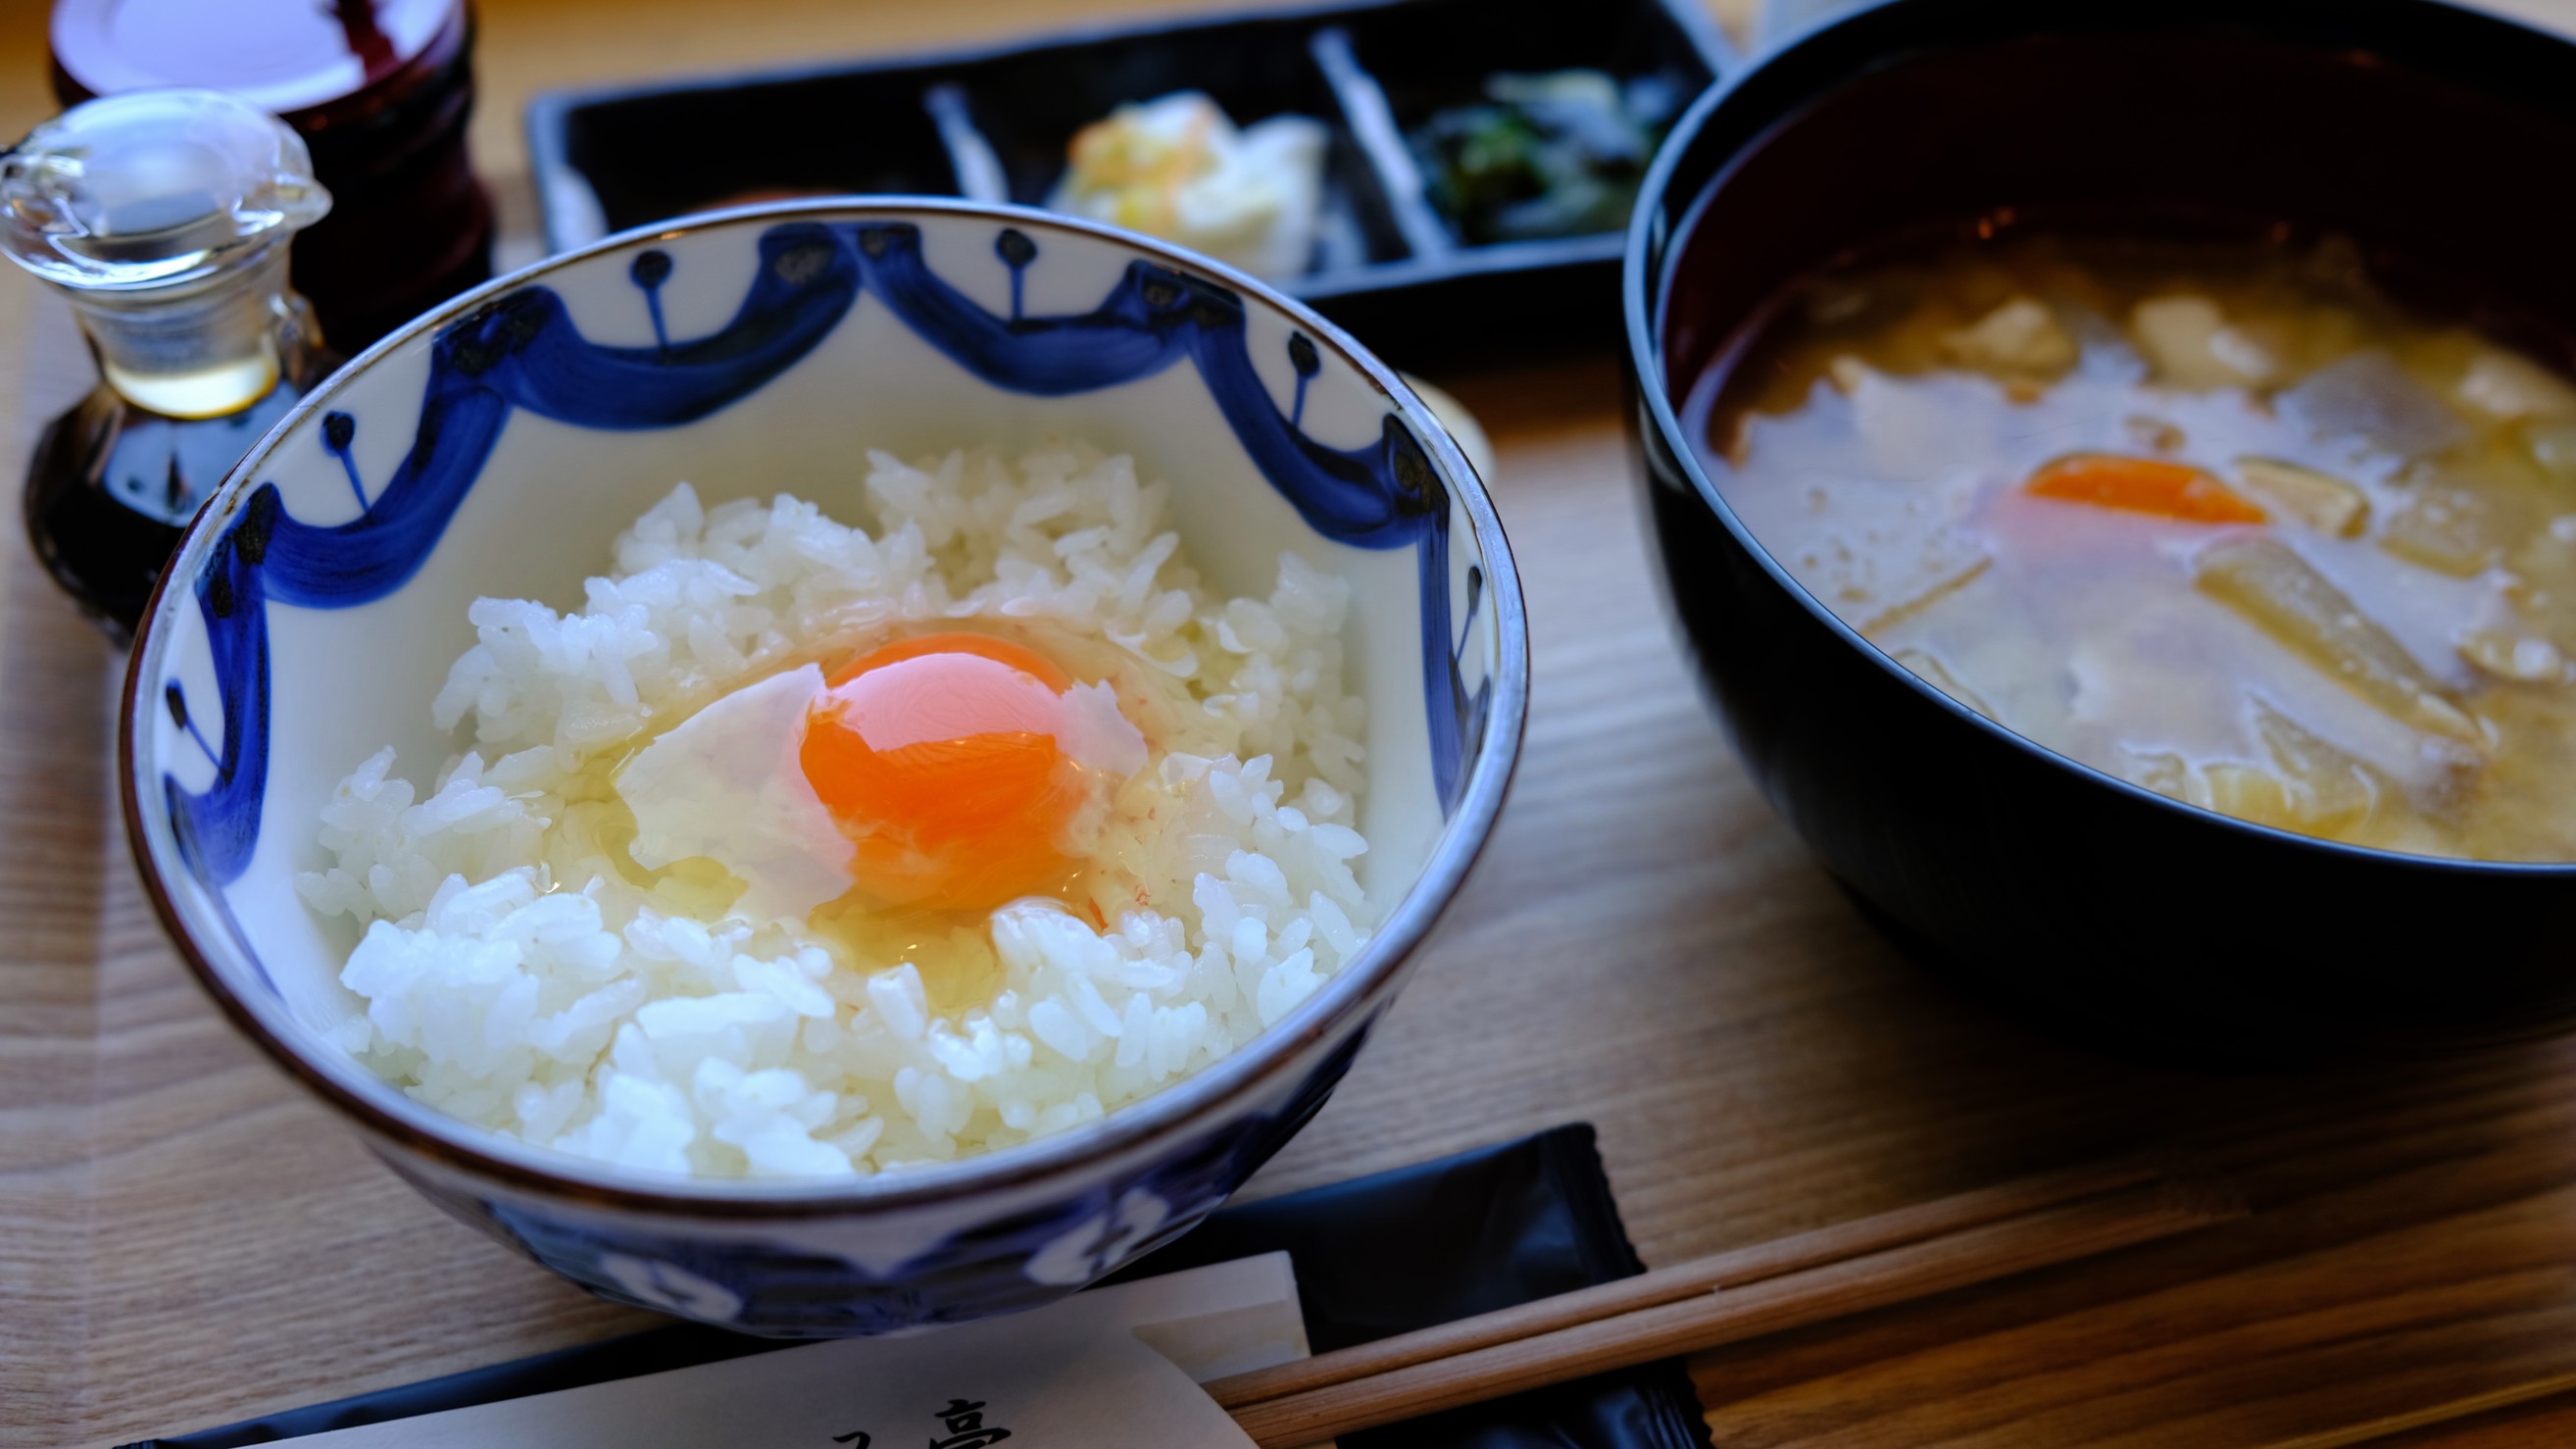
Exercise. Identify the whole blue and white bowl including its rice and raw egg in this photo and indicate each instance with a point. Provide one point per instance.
(833, 767)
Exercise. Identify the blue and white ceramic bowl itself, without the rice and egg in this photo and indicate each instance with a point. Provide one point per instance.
(498, 447)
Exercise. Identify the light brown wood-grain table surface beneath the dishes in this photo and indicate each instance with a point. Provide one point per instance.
(189, 1239)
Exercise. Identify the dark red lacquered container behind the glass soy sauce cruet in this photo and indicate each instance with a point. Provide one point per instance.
(377, 89)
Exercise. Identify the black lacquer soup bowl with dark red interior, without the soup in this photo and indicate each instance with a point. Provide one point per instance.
(2433, 138)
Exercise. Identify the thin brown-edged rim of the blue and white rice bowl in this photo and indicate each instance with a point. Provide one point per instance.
(1163, 1115)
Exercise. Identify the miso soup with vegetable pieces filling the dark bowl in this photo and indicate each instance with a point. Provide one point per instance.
(2219, 522)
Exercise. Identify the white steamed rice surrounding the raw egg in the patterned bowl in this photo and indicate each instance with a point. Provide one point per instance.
(516, 981)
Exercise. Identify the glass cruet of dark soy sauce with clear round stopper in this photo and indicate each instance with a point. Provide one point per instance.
(164, 220)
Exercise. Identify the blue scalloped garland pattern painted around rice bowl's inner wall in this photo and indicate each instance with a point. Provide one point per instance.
(524, 352)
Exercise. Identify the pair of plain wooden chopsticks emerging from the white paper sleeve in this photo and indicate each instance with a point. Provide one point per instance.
(1799, 1280)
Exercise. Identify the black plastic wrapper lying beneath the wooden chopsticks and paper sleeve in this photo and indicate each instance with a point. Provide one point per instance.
(1374, 1257)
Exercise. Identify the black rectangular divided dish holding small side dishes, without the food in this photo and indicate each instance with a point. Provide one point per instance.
(993, 125)
